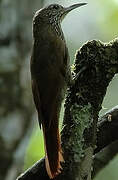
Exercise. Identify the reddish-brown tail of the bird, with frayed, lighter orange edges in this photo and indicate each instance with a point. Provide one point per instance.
(53, 151)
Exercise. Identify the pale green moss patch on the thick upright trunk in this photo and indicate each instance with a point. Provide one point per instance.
(82, 120)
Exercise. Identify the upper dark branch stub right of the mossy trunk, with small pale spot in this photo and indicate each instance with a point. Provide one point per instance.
(107, 127)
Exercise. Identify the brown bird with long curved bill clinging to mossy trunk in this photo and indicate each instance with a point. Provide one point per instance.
(50, 77)
